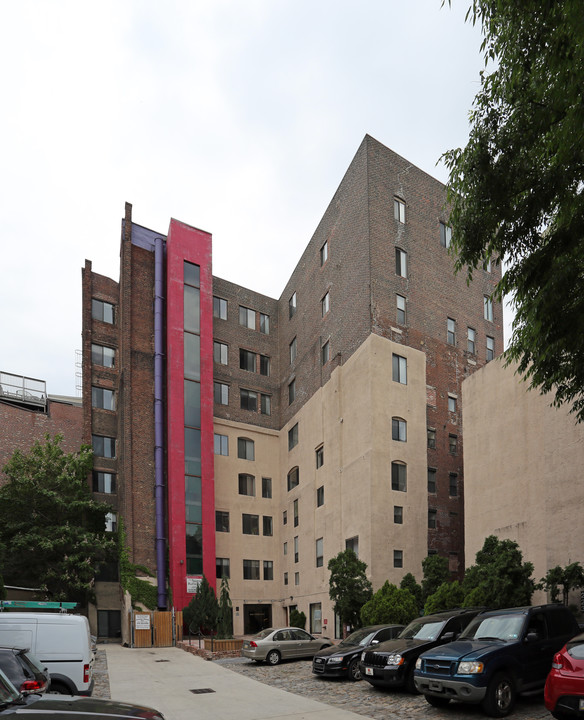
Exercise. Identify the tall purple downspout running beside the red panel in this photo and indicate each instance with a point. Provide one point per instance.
(159, 420)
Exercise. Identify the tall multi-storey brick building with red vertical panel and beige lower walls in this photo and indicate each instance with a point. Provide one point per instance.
(257, 437)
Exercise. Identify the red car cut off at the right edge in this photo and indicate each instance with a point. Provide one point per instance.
(564, 688)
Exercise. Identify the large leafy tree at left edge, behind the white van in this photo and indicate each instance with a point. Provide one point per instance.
(52, 530)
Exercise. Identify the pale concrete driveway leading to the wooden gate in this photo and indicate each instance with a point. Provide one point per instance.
(164, 678)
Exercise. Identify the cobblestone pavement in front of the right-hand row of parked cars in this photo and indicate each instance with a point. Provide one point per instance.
(363, 698)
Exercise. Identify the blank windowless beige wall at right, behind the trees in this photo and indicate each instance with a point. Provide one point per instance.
(522, 464)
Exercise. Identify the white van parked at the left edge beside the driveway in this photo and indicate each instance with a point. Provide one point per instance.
(61, 642)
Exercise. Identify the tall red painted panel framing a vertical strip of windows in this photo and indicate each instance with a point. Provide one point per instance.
(188, 243)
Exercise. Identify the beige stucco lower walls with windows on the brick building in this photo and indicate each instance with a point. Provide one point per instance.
(350, 417)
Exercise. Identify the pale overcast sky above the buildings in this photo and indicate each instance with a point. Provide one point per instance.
(238, 117)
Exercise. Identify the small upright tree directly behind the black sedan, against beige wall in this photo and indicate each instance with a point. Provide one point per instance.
(349, 588)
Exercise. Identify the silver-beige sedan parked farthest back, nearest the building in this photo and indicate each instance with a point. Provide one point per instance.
(275, 644)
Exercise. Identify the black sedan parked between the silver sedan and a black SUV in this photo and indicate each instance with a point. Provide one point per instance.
(343, 659)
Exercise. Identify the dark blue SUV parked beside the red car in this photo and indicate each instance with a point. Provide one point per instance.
(500, 654)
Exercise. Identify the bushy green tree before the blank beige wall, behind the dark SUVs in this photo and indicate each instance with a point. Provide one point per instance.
(499, 578)
